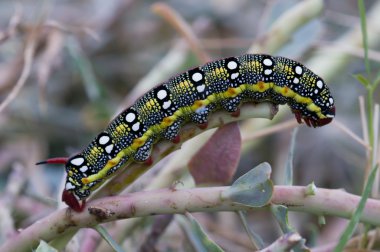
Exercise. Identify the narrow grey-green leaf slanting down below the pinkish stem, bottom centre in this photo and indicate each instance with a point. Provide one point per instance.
(196, 234)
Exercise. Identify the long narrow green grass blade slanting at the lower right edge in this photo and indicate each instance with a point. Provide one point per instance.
(358, 212)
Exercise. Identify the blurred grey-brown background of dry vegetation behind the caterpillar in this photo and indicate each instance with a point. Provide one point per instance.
(68, 67)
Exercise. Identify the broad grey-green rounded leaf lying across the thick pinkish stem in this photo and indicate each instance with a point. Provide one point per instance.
(253, 189)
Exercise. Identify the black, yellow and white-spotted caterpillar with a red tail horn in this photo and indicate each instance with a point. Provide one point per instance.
(190, 97)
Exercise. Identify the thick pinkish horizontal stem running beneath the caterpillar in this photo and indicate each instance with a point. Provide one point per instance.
(165, 201)
